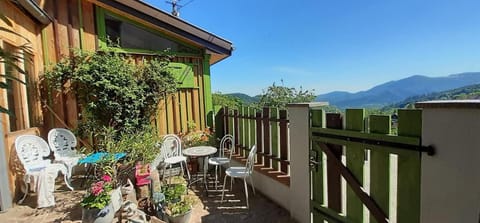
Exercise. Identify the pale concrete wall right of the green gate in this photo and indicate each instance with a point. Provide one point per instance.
(450, 190)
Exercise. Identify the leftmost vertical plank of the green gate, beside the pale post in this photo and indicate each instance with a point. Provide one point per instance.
(317, 120)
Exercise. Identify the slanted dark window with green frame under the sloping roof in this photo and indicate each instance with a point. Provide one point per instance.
(131, 36)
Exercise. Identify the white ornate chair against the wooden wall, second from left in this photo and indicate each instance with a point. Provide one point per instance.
(62, 142)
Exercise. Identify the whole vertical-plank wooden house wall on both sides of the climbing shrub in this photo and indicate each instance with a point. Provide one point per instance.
(73, 26)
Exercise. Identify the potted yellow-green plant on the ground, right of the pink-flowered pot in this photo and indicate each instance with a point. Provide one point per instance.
(178, 205)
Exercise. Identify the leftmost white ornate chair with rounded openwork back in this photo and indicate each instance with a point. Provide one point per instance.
(31, 150)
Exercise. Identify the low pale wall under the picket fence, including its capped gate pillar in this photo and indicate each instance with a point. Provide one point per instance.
(295, 198)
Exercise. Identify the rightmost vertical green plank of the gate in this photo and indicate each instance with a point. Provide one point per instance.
(409, 169)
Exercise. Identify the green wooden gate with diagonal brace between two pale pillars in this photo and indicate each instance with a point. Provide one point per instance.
(363, 170)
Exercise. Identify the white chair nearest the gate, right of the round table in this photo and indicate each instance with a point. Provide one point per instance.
(242, 172)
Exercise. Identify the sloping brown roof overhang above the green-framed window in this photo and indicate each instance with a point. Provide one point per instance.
(218, 47)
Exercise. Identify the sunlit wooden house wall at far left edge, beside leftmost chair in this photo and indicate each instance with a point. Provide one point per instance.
(26, 27)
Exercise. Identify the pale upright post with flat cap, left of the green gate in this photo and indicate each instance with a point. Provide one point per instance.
(299, 117)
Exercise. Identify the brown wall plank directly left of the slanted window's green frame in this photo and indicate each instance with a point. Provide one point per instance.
(88, 21)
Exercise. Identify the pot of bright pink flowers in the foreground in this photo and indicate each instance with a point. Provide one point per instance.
(97, 204)
